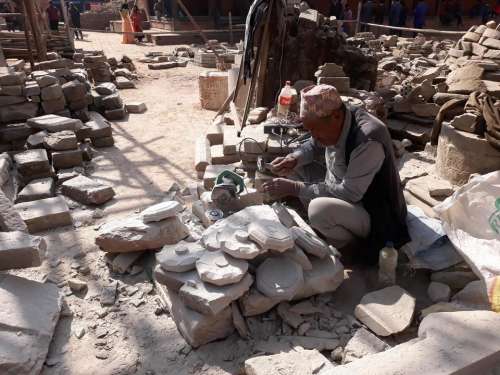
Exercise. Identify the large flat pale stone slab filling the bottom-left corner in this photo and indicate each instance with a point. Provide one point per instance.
(28, 327)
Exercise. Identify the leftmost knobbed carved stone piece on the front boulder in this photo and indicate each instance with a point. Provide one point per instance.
(181, 257)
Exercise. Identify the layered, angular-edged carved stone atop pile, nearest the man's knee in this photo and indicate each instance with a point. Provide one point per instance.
(270, 235)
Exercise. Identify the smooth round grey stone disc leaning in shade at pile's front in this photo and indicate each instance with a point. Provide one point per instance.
(279, 278)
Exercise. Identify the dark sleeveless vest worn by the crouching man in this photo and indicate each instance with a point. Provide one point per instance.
(384, 199)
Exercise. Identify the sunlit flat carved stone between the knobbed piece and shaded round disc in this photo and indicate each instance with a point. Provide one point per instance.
(221, 269)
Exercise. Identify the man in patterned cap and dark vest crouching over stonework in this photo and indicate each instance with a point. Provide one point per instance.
(345, 175)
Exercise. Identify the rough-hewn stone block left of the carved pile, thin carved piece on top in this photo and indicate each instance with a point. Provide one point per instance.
(132, 234)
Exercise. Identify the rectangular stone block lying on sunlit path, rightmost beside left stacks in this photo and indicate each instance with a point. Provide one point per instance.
(87, 191)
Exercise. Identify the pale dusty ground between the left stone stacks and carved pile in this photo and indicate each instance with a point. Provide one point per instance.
(152, 151)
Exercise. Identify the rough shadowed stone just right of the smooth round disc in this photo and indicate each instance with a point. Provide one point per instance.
(326, 276)
